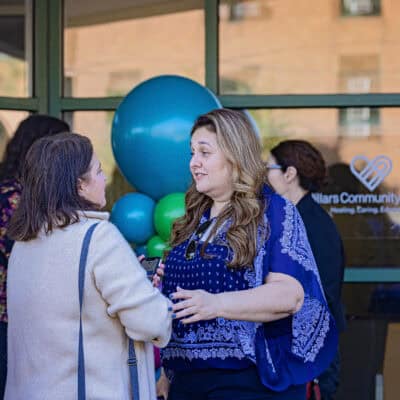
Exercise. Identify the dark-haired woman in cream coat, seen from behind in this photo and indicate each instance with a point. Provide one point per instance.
(62, 178)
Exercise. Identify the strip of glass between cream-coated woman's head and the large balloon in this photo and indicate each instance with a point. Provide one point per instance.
(97, 126)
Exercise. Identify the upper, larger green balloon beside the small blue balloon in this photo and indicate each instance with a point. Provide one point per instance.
(167, 210)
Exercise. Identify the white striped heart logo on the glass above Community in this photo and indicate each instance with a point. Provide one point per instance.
(374, 171)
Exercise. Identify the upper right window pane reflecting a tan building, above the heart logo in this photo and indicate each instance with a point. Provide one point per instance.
(316, 47)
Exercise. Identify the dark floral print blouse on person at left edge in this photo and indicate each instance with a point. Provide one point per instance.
(10, 193)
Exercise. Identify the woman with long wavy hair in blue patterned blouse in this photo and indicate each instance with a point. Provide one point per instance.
(250, 317)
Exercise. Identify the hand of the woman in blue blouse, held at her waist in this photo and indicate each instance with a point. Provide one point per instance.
(194, 305)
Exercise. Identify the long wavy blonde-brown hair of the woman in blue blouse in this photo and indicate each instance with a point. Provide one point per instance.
(241, 147)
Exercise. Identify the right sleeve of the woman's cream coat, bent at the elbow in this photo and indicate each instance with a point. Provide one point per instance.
(123, 284)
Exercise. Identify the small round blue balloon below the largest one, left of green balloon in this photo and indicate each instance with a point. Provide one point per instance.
(133, 216)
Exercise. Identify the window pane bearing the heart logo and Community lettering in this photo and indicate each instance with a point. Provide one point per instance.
(363, 190)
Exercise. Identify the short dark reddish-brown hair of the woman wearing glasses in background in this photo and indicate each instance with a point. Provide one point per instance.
(307, 160)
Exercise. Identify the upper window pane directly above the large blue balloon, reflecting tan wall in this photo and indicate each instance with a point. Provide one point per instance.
(110, 47)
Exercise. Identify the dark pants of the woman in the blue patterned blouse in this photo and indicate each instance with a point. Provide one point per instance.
(215, 384)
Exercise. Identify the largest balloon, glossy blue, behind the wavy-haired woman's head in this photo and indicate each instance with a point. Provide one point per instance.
(151, 133)
